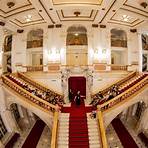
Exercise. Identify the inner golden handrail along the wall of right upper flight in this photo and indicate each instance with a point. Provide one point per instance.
(118, 82)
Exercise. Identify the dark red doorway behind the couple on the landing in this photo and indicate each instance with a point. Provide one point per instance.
(77, 83)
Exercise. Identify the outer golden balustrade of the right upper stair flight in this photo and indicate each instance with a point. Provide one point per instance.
(128, 93)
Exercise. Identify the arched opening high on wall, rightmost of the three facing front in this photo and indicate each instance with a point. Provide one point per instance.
(118, 38)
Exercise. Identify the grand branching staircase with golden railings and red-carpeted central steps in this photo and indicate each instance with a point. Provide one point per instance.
(71, 134)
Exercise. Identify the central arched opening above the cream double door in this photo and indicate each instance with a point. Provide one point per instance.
(76, 35)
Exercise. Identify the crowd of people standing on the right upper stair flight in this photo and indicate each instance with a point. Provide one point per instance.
(100, 98)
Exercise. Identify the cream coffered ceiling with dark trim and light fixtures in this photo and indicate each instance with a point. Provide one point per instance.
(24, 13)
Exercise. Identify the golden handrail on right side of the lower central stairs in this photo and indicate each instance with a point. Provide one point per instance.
(102, 129)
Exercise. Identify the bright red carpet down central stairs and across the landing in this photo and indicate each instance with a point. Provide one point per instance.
(78, 130)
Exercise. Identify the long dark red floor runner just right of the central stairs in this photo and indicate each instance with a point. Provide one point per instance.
(124, 136)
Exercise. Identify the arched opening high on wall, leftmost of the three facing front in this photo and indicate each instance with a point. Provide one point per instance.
(35, 38)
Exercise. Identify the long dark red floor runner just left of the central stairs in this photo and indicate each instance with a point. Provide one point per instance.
(34, 136)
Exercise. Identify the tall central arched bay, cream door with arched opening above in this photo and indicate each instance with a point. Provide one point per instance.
(76, 44)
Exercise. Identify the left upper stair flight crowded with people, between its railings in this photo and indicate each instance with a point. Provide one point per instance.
(48, 96)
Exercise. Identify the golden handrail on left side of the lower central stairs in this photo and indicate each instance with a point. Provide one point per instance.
(54, 130)
